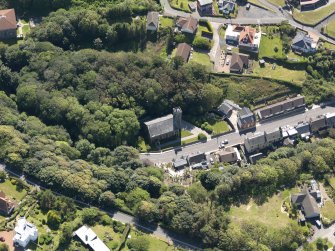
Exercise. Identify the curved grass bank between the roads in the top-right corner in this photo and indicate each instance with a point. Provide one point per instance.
(315, 16)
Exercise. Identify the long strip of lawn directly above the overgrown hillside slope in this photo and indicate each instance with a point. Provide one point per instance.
(280, 73)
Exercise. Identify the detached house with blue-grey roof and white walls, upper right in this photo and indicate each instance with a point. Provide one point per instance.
(303, 43)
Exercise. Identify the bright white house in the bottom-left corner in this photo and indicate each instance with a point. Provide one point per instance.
(24, 233)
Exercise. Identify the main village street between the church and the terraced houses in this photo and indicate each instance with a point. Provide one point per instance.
(235, 138)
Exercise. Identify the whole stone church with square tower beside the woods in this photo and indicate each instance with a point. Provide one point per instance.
(165, 127)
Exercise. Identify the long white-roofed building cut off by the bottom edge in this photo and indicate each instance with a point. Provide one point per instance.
(89, 238)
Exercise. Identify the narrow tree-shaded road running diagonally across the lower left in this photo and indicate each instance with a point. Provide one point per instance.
(155, 230)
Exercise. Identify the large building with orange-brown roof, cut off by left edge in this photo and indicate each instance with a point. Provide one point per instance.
(7, 24)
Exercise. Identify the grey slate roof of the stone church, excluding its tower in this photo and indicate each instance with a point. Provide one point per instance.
(160, 126)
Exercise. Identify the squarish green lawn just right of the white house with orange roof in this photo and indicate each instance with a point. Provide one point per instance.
(268, 45)
